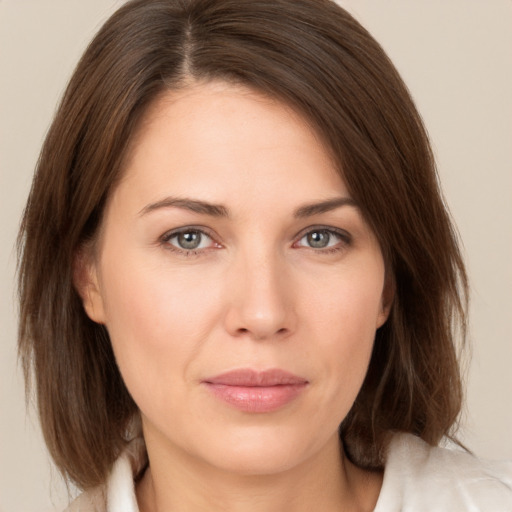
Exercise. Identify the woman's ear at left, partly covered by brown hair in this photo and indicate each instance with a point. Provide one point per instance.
(87, 284)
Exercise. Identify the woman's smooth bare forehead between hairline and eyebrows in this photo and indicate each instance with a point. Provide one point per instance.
(219, 142)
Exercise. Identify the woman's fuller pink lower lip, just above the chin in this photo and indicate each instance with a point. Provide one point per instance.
(257, 398)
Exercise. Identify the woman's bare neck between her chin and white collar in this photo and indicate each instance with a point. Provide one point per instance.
(327, 481)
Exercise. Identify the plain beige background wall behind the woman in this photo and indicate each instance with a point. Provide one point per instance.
(455, 55)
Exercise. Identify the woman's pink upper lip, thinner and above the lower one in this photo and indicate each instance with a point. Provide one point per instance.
(254, 378)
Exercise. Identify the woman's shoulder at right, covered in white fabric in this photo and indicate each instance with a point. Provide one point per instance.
(421, 478)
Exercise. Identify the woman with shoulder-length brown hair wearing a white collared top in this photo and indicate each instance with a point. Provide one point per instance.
(238, 279)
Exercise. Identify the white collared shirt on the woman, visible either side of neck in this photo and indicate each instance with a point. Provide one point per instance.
(417, 478)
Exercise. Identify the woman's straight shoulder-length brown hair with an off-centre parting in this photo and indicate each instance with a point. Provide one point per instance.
(315, 57)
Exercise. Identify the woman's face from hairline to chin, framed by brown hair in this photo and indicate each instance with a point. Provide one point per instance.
(239, 283)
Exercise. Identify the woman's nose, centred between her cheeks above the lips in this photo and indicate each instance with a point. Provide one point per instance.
(259, 297)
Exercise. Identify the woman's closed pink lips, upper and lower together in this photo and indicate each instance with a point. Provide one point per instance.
(256, 391)
